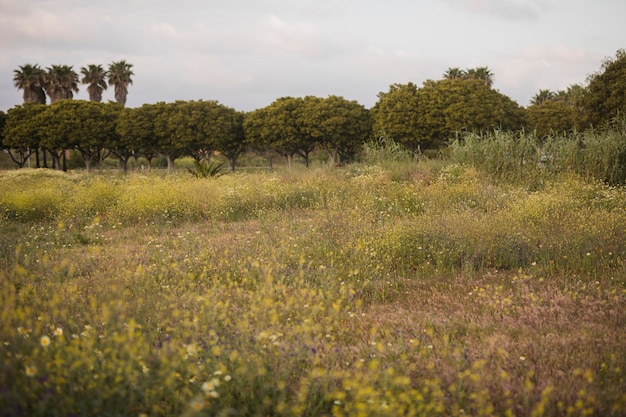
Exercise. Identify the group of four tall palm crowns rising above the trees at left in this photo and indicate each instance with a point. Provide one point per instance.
(60, 82)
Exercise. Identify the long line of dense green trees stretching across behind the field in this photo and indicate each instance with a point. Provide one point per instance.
(419, 118)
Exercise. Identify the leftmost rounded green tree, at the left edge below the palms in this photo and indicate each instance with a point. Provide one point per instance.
(21, 136)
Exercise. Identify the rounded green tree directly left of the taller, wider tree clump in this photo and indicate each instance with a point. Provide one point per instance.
(338, 125)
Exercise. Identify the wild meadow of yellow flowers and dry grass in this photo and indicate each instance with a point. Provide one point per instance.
(411, 289)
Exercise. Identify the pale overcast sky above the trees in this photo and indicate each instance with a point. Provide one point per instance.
(247, 53)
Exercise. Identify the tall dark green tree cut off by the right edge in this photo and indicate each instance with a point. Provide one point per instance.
(605, 96)
